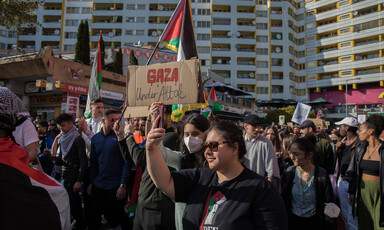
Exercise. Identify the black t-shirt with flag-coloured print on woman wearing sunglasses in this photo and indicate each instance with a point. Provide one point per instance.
(245, 202)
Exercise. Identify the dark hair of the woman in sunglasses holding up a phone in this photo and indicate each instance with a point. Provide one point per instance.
(230, 132)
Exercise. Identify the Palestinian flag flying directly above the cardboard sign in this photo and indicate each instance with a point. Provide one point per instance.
(178, 35)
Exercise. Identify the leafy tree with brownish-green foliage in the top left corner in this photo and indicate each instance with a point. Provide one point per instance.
(15, 13)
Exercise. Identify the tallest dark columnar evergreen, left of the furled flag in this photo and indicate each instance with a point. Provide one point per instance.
(82, 44)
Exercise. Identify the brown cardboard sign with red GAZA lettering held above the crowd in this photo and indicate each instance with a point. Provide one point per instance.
(169, 83)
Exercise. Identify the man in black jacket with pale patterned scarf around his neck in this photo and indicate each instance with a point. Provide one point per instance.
(71, 152)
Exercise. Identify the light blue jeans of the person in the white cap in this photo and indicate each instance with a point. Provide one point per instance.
(346, 209)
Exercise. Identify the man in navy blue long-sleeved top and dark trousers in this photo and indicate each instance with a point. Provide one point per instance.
(109, 176)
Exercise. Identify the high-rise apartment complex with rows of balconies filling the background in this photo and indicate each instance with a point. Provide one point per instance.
(289, 50)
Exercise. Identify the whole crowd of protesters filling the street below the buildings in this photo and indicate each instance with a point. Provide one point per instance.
(149, 173)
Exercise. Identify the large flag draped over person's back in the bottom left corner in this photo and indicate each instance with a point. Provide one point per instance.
(29, 199)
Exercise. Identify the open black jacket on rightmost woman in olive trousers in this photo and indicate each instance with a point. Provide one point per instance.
(355, 172)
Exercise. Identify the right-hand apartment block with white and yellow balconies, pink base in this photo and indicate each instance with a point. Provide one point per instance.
(344, 48)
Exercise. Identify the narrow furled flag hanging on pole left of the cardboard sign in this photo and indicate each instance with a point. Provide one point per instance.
(95, 81)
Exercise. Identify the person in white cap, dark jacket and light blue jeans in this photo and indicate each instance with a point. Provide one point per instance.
(345, 150)
